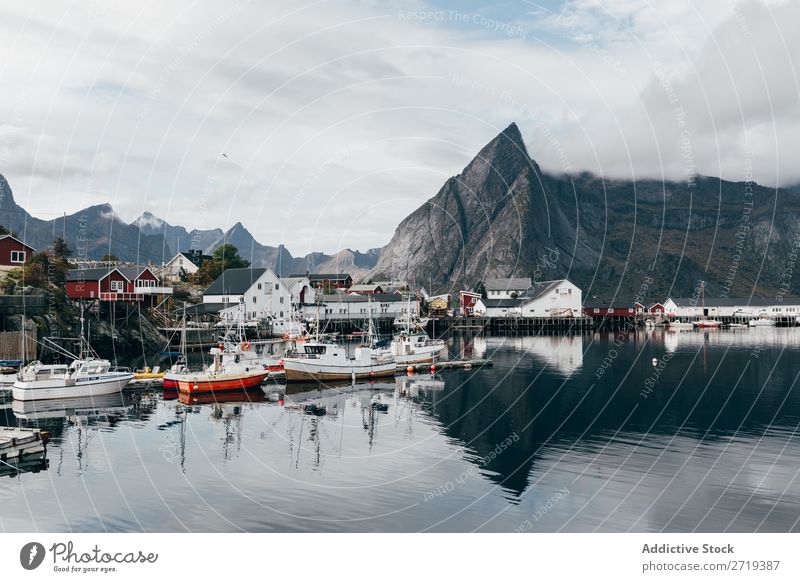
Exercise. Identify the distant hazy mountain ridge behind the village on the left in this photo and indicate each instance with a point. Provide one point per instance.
(96, 231)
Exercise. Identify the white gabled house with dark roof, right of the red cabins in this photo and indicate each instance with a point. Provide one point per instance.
(260, 290)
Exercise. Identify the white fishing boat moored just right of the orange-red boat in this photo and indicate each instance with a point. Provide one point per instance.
(321, 361)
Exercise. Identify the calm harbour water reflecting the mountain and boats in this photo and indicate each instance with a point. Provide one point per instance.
(562, 434)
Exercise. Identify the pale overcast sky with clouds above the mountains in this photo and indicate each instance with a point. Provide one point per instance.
(321, 125)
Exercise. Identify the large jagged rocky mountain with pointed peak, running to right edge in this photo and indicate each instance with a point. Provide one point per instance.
(503, 216)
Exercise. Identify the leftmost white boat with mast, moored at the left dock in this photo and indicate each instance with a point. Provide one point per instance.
(87, 375)
